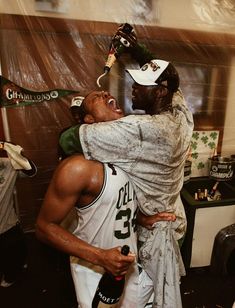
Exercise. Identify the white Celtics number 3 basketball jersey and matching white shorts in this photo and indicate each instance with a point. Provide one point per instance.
(107, 222)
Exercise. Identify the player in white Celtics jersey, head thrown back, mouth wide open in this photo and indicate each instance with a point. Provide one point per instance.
(106, 207)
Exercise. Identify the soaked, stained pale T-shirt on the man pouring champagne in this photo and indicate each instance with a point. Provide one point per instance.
(152, 149)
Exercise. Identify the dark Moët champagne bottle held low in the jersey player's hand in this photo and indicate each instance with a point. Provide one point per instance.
(110, 288)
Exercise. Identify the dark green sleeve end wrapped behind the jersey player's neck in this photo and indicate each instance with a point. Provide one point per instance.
(70, 142)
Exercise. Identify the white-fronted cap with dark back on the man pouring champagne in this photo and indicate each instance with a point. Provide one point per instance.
(149, 74)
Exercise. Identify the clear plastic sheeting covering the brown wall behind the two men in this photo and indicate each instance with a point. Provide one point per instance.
(55, 46)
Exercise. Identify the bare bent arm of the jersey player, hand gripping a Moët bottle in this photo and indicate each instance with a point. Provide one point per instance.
(69, 180)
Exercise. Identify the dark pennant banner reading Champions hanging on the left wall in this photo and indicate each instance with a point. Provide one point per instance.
(13, 95)
